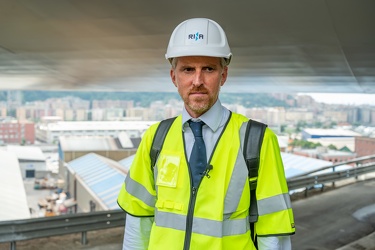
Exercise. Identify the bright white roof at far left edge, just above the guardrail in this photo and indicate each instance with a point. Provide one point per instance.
(13, 195)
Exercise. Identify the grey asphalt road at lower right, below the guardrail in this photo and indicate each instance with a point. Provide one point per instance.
(327, 222)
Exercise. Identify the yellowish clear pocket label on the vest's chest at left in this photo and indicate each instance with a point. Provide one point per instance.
(168, 168)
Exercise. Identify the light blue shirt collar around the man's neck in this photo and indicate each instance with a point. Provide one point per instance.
(211, 118)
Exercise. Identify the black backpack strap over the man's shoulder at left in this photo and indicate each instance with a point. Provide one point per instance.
(159, 138)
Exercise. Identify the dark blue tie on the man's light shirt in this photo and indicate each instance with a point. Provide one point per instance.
(198, 158)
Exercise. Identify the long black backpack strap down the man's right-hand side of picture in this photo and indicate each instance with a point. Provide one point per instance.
(252, 145)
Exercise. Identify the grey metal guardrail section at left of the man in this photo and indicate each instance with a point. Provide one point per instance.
(27, 229)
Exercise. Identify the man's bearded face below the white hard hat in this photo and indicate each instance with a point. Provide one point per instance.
(198, 80)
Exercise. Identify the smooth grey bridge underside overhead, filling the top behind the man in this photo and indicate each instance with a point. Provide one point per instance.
(119, 45)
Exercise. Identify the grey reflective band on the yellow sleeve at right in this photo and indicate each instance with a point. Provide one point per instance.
(274, 204)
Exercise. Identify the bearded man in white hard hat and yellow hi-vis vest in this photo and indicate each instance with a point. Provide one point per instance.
(178, 204)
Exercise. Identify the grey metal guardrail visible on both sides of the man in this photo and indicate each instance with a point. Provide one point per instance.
(18, 230)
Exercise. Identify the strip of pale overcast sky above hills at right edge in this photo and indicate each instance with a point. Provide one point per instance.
(349, 99)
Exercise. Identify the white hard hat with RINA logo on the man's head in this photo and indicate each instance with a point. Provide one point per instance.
(198, 37)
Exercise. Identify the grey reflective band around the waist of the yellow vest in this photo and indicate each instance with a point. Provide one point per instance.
(202, 226)
